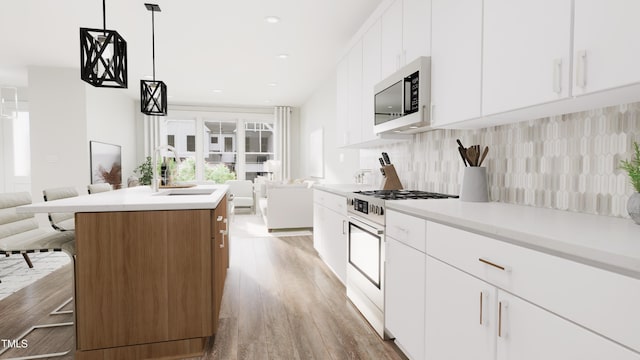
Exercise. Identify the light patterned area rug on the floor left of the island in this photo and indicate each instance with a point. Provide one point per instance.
(15, 274)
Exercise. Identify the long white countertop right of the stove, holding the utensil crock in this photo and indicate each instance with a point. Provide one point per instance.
(605, 242)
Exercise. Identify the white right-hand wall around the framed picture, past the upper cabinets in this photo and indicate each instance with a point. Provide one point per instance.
(319, 111)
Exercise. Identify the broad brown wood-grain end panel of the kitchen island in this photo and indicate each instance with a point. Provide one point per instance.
(142, 277)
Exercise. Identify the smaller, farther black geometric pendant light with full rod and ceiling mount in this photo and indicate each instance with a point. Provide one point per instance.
(153, 94)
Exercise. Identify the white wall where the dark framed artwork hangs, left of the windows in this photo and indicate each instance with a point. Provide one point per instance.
(111, 119)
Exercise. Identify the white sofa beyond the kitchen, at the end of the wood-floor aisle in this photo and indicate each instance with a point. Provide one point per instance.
(286, 206)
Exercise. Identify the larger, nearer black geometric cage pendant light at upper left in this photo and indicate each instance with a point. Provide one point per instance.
(103, 56)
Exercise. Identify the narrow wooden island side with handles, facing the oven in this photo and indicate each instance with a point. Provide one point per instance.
(220, 257)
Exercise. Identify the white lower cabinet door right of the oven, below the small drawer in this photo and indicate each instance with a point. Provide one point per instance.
(404, 297)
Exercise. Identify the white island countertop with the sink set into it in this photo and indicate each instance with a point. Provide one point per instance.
(140, 198)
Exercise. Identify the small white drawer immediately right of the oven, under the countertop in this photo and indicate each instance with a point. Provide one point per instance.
(407, 229)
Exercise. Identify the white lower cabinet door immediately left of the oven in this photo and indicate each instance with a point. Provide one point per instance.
(335, 243)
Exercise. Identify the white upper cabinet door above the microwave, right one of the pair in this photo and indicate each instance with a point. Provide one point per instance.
(416, 29)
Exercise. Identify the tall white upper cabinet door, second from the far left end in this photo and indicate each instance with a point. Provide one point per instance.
(355, 94)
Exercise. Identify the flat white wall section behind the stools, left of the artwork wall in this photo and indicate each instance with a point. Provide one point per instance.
(59, 146)
